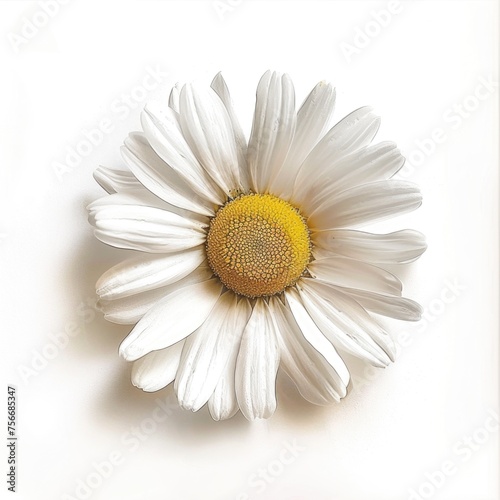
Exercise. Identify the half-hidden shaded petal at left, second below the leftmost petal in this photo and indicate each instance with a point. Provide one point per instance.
(129, 310)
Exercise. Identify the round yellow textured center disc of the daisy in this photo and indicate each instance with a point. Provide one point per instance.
(258, 245)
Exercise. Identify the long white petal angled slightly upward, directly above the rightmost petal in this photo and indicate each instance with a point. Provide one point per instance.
(366, 203)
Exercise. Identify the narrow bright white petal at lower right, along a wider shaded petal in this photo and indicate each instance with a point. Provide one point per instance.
(318, 341)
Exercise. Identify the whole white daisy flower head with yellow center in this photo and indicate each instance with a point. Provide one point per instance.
(248, 260)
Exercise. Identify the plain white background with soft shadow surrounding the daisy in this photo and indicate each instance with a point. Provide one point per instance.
(76, 405)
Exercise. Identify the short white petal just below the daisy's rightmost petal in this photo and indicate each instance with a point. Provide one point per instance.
(351, 273)
